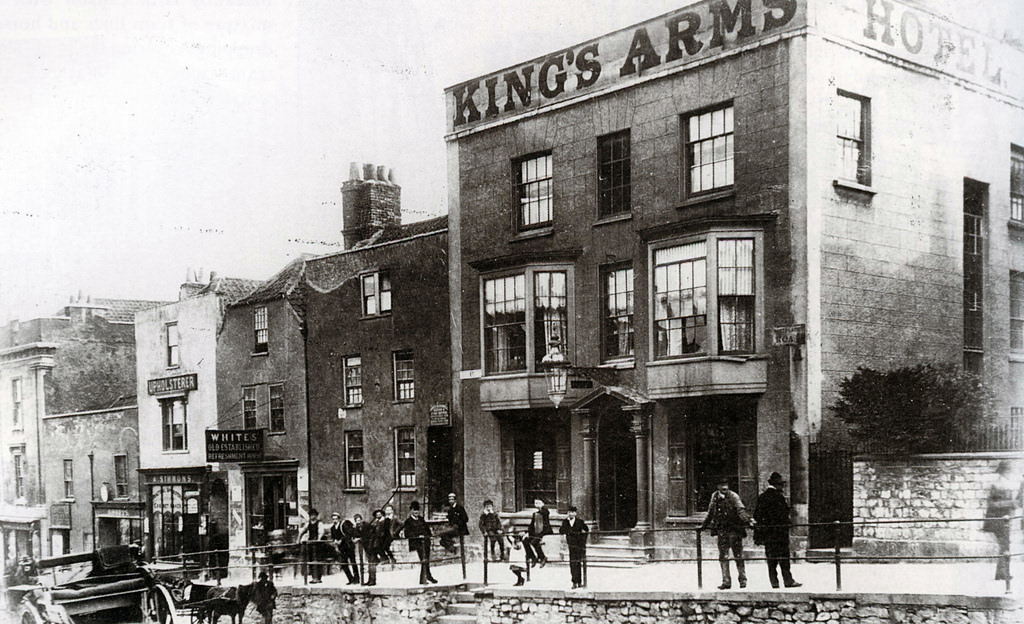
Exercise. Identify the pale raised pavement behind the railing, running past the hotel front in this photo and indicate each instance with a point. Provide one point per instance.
(969, 579)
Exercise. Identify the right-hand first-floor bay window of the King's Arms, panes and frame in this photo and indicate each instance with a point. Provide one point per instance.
(705, 297)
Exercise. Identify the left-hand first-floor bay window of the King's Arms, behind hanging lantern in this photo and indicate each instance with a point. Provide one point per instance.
(517, 336)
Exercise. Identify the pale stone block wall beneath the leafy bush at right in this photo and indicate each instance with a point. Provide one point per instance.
(953, 487)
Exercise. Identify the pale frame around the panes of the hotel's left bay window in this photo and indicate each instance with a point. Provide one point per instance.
(530, 283)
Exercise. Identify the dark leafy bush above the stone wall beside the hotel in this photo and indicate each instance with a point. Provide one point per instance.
(920, 409)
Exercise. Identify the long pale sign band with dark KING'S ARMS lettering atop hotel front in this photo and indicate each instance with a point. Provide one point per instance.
(657, 47)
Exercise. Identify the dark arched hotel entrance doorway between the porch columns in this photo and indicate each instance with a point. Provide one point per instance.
(617, 474)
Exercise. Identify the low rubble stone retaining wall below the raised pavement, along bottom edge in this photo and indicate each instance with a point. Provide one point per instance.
(300, 606)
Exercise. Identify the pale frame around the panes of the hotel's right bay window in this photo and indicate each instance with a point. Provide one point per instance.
(711, 236)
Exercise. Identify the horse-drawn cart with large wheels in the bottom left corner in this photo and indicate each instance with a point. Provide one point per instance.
(111, 586)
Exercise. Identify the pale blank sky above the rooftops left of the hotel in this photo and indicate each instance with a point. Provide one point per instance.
(139, 139)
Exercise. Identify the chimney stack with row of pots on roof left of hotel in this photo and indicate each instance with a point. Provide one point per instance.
(371, 200)
